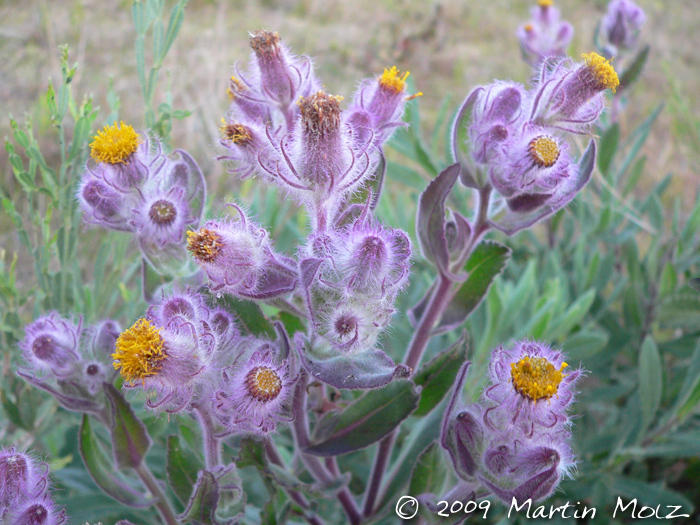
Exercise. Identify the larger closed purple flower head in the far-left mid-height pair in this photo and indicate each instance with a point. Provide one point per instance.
(51, 345)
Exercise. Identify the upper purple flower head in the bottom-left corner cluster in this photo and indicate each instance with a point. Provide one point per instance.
(21, 477)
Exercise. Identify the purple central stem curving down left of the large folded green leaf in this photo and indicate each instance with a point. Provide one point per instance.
(316, 468)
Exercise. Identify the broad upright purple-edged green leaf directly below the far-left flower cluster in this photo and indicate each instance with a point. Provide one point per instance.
(129, 435)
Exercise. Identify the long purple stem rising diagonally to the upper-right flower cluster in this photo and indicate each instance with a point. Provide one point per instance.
(419, 342)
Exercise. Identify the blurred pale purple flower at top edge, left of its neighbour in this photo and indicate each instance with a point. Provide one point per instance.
(546, 35)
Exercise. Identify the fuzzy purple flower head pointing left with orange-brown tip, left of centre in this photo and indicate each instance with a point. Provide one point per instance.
(238, 258)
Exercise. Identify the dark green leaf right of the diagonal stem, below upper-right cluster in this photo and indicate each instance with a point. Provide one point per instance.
(484, 264)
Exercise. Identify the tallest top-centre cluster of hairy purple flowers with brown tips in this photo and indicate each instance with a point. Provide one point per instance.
(284, 128)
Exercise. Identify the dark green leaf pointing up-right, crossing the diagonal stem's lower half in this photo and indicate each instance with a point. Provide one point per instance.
(437, 376)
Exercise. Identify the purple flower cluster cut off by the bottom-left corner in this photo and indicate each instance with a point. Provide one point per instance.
(24, 491)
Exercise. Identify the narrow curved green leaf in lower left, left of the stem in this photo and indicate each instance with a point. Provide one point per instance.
(102, 470)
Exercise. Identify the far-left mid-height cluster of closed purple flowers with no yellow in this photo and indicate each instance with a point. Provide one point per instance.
(68, 360)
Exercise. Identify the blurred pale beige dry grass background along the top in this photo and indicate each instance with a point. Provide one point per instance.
(449, 47)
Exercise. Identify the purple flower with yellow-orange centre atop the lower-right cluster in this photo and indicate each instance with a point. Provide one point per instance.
(529, 388)
